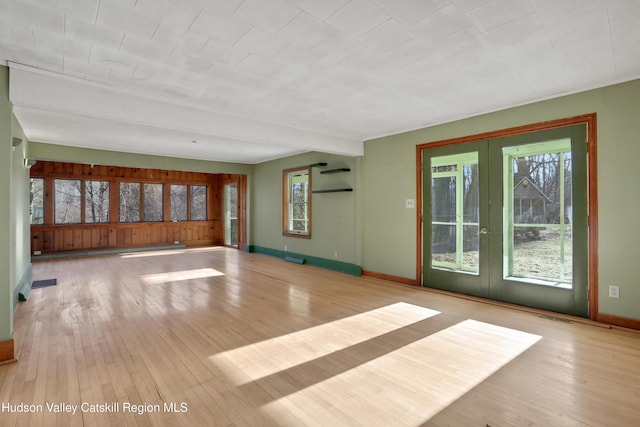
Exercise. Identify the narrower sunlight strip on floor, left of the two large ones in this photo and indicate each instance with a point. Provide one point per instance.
(261, 359)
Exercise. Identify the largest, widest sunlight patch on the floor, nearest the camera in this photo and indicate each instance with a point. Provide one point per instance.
(429, 375)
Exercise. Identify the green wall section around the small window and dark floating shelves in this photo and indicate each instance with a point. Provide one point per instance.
(335, 216)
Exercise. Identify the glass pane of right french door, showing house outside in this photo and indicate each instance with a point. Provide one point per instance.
(538, 213)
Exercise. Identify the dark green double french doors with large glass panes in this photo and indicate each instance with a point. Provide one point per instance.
(506, 219)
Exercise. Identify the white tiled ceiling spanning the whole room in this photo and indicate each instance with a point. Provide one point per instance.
(254, 80)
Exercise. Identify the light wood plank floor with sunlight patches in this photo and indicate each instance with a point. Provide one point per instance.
(241, 339)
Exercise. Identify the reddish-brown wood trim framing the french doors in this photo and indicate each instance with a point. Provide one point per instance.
(592, 183)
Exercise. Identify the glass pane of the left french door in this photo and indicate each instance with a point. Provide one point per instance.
(455, 212)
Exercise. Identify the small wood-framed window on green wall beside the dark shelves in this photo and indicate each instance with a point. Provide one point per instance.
(297, 202)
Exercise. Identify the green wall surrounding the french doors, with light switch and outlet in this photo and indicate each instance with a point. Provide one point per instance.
(389, 171)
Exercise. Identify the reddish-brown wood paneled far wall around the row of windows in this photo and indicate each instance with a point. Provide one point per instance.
(50, 237)
